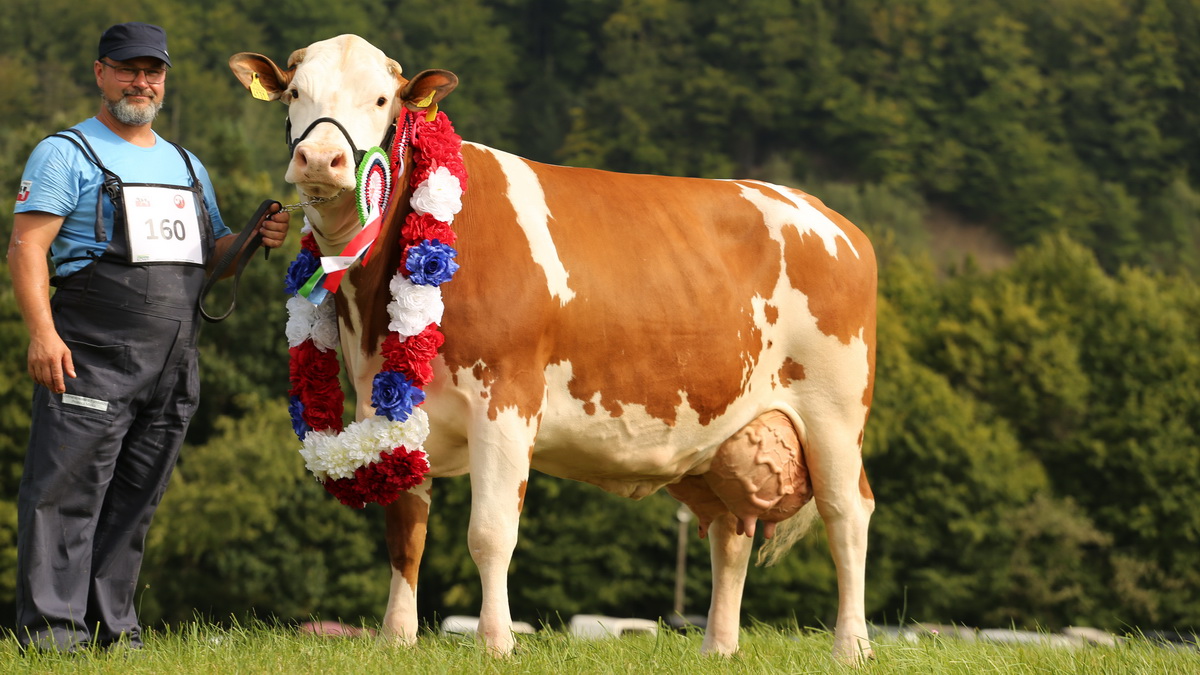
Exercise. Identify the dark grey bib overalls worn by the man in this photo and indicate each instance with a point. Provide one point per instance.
(100, 456)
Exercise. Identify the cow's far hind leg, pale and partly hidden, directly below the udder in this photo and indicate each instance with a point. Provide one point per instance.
(730, 554)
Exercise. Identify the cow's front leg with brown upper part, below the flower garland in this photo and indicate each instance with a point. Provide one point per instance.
(407, 519)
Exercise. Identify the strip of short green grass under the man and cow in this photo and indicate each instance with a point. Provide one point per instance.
(199, 648)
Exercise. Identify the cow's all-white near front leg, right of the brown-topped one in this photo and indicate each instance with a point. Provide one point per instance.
(501, 453)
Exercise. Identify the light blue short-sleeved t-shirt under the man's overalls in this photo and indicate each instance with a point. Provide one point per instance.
(61, 181)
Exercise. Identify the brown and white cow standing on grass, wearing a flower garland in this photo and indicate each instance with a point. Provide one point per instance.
(713, 338)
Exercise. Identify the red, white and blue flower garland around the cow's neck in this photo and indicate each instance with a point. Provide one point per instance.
(375, 459)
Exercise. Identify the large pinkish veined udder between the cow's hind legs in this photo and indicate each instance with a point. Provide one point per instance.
(759, 474)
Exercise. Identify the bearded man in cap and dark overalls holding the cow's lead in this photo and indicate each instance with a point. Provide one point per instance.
(131, 225)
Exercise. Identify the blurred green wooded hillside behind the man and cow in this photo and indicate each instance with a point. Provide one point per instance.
(1034, 446)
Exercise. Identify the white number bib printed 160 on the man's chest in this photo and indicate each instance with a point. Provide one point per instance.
(163, 226)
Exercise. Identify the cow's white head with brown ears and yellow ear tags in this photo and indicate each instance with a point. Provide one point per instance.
(345, 80)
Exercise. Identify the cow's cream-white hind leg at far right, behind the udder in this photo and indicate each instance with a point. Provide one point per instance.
(845, 503)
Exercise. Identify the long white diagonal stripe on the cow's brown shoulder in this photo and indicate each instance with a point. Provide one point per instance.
(533, 216)
